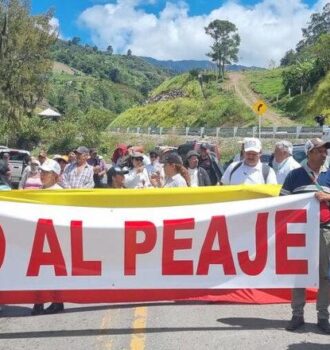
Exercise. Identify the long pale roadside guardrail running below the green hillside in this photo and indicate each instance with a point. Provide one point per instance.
(293, 132)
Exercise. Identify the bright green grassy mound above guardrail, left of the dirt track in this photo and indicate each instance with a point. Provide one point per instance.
(182, 101)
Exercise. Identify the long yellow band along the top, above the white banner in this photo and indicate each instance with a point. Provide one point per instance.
(130, 198)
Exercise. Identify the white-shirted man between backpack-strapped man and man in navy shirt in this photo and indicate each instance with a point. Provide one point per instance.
(283, 161)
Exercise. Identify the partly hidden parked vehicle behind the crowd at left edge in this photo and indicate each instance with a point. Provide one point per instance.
(18, 160)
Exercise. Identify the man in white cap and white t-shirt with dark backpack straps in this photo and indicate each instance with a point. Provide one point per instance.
(250, 171)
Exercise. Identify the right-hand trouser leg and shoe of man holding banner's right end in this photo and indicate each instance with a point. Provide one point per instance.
(324, 286)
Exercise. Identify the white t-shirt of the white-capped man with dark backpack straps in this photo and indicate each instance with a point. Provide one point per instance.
(247, 175)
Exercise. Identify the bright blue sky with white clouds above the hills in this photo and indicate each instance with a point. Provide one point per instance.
(168, 29)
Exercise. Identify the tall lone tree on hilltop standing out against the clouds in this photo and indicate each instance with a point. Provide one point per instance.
(226, 43)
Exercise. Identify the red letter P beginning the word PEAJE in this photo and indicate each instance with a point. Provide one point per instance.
(132, 247)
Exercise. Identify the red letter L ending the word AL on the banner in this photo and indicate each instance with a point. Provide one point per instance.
(81, 267)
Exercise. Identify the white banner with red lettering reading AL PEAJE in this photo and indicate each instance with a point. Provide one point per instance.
(260, 243)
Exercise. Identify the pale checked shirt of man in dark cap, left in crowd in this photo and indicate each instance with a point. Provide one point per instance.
(72, 179)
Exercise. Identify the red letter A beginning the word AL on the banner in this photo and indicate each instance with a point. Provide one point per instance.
(45, 230)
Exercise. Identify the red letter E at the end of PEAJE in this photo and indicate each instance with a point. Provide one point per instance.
(284, 240)
